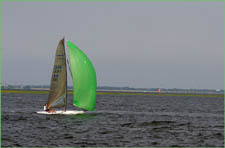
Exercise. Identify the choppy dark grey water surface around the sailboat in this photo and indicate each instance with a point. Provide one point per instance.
(119, 120)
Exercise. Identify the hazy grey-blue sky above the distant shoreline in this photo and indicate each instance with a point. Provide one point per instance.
(136, 44)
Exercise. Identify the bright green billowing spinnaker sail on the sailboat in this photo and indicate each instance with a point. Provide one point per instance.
(84, 78)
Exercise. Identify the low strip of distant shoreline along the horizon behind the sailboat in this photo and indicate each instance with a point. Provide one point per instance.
(117, 92)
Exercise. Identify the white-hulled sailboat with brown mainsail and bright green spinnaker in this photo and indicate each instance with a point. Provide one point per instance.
(83, 76)
